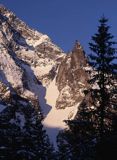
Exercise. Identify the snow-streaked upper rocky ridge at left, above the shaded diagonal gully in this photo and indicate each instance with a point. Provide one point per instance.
(28, 45)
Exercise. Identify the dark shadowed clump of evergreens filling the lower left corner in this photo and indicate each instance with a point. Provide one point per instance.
(21, 133)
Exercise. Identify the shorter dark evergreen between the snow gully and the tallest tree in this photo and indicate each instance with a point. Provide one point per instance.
(78, 141)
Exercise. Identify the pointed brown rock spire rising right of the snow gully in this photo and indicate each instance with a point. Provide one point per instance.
(72, 78)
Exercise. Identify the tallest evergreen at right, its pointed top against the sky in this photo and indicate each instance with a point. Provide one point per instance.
(102, 60)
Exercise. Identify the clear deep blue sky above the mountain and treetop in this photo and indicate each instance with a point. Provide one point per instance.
(65, 20)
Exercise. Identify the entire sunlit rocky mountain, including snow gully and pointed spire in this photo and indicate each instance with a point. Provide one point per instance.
(35, 69)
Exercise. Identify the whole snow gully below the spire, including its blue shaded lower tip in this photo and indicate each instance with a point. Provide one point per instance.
(54, 120)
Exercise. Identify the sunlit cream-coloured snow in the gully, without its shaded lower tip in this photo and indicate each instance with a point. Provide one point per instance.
(56, 116)
